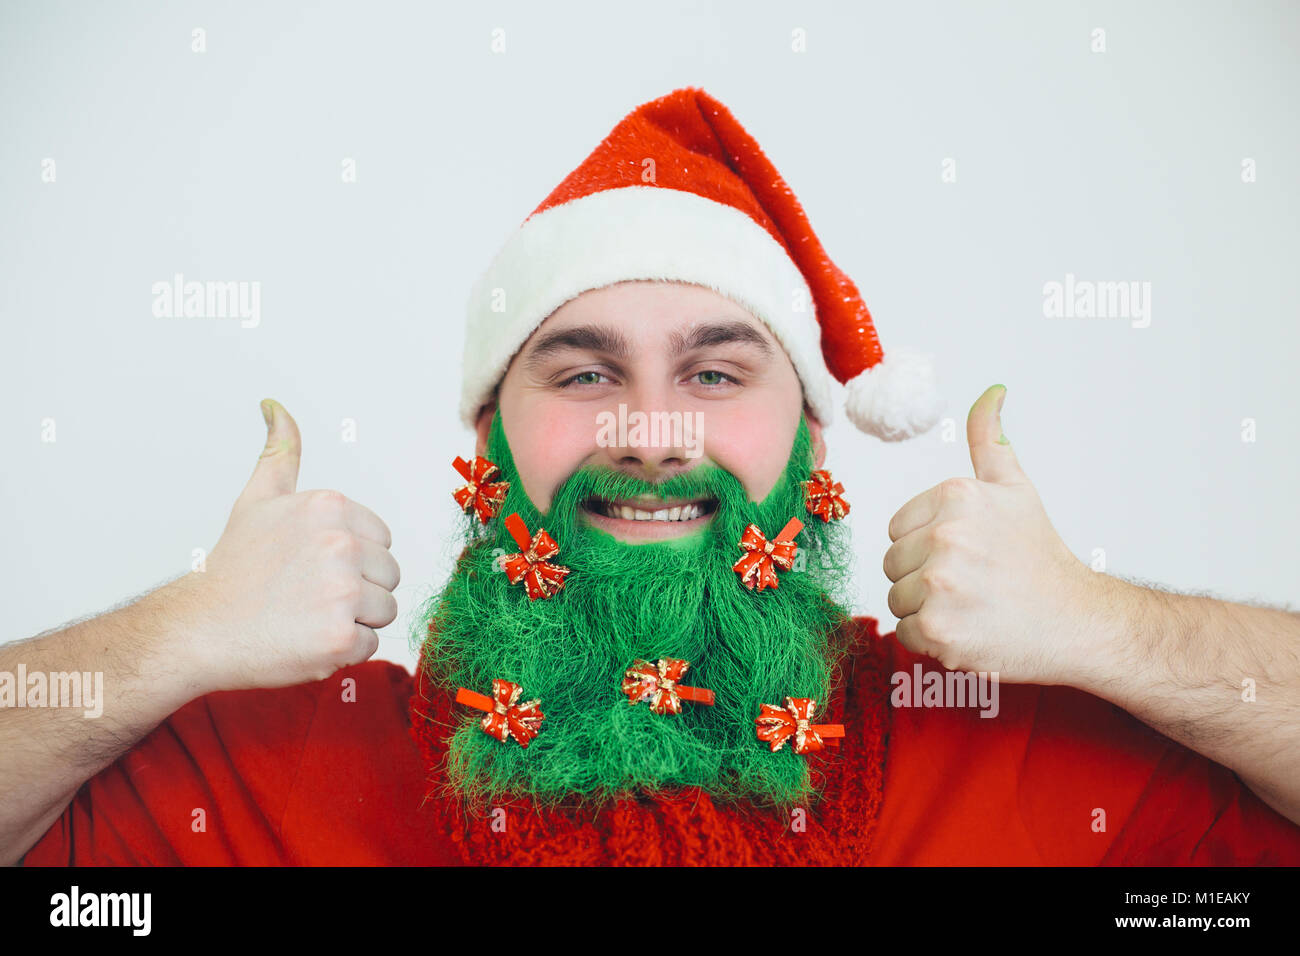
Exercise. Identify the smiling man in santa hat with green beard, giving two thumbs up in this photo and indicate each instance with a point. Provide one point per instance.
(658, 629)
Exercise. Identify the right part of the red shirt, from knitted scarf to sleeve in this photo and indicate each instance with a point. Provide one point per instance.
(1061, 778)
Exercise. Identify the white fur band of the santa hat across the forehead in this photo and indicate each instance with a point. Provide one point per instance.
(638, 233)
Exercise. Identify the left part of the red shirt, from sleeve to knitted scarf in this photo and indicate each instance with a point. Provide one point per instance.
(319, 775)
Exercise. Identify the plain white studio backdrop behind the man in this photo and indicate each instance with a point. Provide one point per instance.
(955, 159)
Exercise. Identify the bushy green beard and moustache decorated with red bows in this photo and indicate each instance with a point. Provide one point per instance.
(622, 603)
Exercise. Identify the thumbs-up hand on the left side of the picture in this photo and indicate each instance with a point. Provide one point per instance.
(297, 585)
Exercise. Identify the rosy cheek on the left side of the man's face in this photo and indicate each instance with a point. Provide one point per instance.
(549, 443)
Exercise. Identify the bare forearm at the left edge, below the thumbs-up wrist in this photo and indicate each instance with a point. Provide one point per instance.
(115, 678)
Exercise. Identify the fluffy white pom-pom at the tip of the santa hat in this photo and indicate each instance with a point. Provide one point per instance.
(896, 399)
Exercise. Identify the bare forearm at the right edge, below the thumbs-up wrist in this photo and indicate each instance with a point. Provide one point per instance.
(1220, 678)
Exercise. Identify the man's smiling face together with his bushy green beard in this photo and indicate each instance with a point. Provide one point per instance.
(643, 590)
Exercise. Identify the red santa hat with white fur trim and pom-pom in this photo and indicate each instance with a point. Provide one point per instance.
(681, 192)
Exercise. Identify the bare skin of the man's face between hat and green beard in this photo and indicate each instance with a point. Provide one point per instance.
(653, 348)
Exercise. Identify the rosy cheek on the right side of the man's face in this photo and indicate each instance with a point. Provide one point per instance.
(753, 443)
